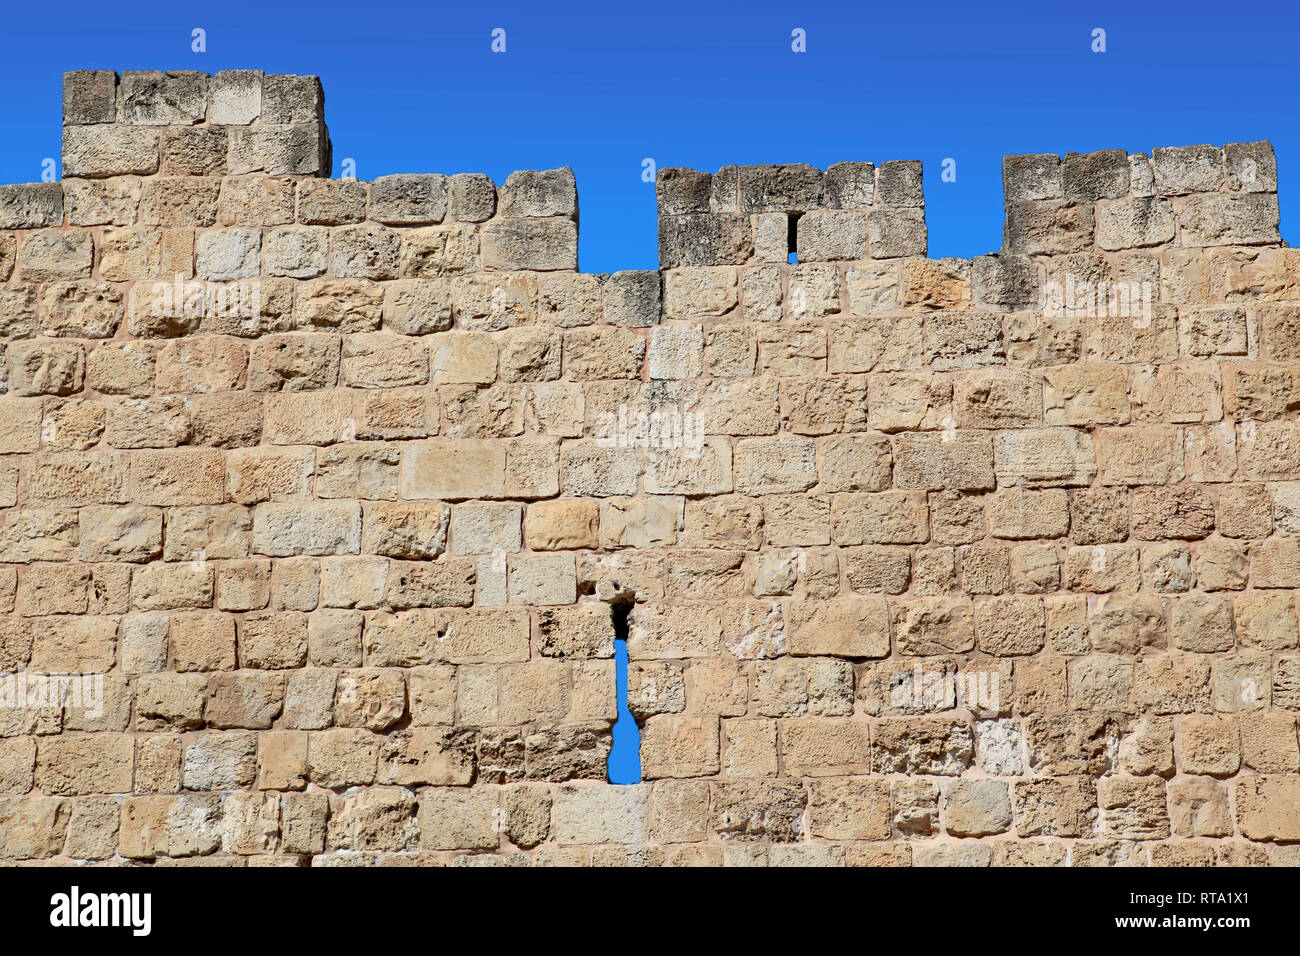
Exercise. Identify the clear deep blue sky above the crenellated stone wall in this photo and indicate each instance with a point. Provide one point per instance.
(603, 86)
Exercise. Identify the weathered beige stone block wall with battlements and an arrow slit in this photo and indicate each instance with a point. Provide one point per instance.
(339, 487)
